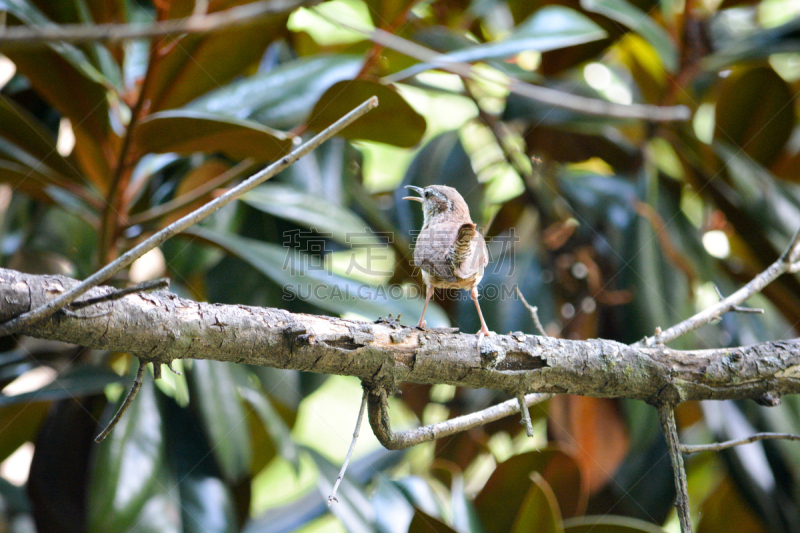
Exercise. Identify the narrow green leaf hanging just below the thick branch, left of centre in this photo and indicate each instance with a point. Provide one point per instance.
(214, 389)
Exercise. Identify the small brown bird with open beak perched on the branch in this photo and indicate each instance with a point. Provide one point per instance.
(450, 250)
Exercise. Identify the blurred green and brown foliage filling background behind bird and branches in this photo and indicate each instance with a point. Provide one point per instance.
(610, 226)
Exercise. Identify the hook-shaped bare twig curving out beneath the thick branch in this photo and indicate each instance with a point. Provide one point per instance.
(381, 424)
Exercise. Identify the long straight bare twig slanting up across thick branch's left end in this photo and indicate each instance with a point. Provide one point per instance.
(180, 225)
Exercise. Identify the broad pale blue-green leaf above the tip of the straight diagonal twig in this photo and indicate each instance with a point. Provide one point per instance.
(283, 97)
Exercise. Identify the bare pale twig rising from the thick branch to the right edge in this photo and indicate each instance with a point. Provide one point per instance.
(787, 262)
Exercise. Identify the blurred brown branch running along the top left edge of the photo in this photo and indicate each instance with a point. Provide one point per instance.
(245, 15)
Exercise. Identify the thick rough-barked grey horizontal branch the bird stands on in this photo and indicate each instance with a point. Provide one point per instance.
(161, 327)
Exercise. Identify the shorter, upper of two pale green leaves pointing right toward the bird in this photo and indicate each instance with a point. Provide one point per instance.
(310, 211)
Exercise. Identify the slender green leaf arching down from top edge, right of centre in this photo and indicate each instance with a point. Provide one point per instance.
(637, 20)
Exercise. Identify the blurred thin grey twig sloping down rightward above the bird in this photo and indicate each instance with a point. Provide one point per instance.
(546, 95)
